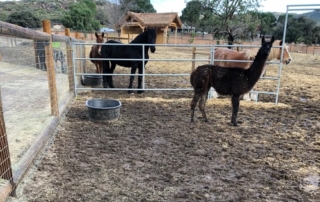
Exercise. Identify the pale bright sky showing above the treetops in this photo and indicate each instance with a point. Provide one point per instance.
(268, 5)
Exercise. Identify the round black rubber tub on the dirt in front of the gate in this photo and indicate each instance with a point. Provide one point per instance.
(103, 110)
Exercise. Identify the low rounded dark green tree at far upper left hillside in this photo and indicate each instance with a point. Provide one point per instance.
(24, 19)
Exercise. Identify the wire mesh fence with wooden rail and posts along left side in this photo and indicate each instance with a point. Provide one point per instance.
(36, 83)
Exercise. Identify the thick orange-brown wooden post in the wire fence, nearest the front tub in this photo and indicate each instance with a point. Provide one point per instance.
(50, 71)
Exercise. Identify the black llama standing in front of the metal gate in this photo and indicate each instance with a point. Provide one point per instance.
(227, 81)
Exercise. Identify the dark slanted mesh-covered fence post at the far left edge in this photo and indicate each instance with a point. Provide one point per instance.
(5, 161)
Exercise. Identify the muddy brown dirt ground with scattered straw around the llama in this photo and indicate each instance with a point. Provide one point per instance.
(154, 153)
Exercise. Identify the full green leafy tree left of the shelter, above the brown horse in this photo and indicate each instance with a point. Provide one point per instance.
(81, 16)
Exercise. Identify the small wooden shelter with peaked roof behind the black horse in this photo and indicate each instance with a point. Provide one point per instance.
(133, 24)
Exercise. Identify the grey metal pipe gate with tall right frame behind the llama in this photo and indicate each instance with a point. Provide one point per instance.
(79, 72)
